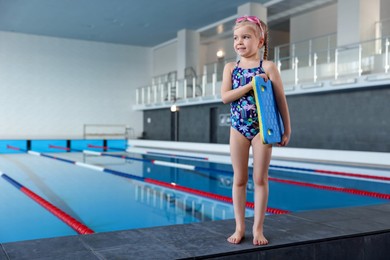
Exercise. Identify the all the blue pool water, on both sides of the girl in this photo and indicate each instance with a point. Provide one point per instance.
(105, 202)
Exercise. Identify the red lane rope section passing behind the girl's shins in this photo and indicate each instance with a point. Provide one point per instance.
(209, 195)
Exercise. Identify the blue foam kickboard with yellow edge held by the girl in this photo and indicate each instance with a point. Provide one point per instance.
(270, 121)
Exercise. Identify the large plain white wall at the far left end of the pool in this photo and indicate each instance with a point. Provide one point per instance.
(50, 87)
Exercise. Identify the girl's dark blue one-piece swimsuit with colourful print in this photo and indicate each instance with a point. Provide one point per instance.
(243, 112)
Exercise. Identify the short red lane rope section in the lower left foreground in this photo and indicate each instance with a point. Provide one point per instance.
(73, 223)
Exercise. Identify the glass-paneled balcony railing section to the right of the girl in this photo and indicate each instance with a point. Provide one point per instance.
(350, 61)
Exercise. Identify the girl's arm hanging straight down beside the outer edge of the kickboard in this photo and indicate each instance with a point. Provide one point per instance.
(274, 76)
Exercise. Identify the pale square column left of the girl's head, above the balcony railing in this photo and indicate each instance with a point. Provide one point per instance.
(188, 44)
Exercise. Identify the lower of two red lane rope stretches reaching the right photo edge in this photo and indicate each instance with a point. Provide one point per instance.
(332, 188)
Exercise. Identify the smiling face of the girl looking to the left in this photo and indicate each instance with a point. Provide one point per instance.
(246, 43)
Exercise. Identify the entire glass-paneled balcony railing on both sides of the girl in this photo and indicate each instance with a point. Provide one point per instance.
(303, 65)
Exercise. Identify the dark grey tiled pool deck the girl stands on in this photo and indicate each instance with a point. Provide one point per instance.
(347, 233)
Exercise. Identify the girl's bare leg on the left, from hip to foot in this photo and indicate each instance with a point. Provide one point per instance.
(239, 151)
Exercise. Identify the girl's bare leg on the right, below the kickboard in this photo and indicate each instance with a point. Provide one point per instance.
(261, 161)
